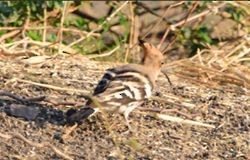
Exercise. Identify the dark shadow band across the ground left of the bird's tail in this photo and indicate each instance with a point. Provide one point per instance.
(39, 113)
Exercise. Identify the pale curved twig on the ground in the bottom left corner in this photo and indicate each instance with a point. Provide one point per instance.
(35, 144)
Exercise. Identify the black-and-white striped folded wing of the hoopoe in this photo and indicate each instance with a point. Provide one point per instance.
(122, 87)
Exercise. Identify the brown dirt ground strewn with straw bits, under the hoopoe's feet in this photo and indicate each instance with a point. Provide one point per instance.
(227, 108)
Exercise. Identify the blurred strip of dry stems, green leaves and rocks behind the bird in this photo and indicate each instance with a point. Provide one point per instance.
(109, 30)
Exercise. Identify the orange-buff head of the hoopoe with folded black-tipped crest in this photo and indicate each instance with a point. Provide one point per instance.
(152, 57)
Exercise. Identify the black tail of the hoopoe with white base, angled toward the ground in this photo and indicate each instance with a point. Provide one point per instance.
(77, 116)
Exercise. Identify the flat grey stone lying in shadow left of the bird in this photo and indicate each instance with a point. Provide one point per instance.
(23, 111)
